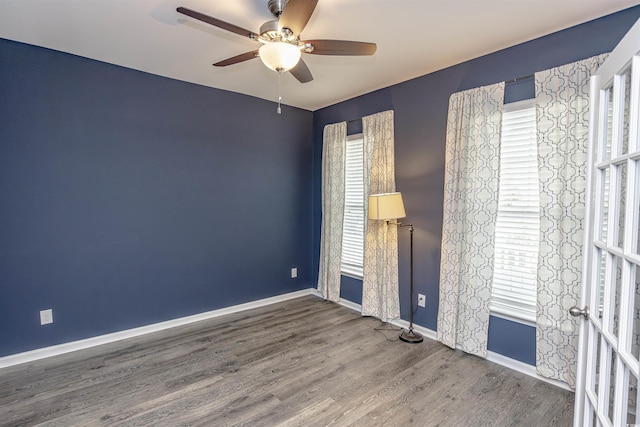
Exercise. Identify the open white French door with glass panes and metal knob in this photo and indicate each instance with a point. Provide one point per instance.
(608, 367)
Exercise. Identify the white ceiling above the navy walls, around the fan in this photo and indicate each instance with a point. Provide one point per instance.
(414, 37)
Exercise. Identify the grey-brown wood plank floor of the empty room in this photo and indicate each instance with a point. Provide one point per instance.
(302, 362)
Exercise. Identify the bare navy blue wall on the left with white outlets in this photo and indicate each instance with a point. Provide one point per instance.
(128, 199)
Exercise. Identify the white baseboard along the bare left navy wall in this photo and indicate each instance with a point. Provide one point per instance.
(42, 353)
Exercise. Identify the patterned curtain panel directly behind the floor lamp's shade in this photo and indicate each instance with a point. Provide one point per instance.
(380, 294)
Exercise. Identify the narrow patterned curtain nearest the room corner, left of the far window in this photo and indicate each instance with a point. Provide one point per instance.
(333, 164)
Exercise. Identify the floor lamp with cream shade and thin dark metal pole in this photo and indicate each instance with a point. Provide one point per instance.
(388, 207)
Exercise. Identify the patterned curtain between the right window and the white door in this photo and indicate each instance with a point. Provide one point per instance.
(562, 110)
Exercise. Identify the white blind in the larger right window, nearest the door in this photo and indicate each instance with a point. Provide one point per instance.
(518, 222)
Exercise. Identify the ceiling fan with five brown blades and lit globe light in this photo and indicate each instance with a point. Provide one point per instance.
(280, 38)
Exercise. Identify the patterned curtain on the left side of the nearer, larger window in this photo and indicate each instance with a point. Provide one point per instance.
(470, 209)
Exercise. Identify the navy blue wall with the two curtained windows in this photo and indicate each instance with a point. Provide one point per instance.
(420, 124)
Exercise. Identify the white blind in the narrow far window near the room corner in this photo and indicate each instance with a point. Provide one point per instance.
(353, 227)
